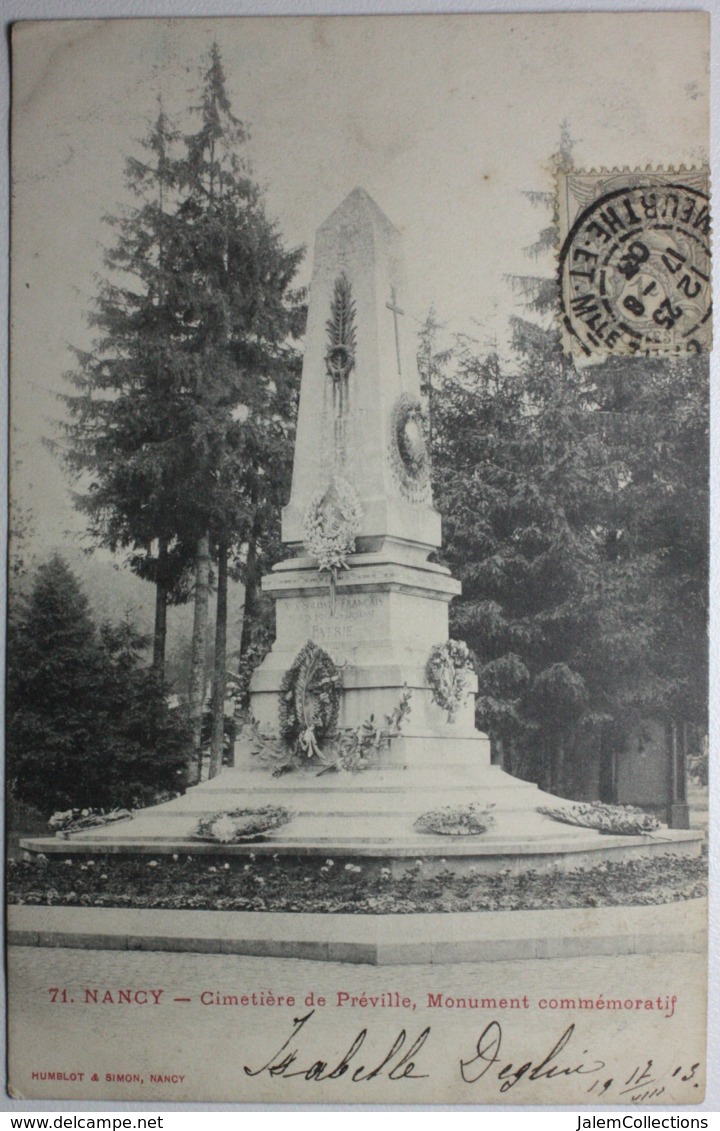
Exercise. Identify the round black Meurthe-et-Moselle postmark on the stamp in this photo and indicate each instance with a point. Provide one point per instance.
(636, 271)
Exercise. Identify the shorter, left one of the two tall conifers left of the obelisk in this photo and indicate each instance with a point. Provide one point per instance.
(125, 443)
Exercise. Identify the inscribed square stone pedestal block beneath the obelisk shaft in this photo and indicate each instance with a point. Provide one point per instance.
(391, 609)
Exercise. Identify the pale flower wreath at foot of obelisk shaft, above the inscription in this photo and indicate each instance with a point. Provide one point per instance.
(331, 525)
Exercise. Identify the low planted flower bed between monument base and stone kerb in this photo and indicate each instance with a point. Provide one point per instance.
(282, 885)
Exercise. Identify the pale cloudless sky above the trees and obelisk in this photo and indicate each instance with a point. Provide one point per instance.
(446, 120)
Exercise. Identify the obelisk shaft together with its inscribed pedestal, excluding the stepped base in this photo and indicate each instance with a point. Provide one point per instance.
(360, 430)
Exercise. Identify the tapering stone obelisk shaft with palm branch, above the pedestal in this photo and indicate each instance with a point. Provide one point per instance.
(354, 393)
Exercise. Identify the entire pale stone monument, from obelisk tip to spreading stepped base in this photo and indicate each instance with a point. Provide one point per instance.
(362, 624)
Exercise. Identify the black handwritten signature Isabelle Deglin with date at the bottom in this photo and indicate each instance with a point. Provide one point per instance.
(405, 1056)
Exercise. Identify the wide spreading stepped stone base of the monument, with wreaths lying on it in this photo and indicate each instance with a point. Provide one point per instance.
(355, 817)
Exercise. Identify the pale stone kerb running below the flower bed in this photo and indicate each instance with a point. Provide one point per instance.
(387, 940)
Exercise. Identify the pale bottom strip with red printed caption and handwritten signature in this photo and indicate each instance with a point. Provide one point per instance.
(199, 1041)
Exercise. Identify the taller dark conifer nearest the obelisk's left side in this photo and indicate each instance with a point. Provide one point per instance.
(246, 316)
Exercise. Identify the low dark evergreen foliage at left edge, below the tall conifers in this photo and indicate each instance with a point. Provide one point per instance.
(88, 726)
